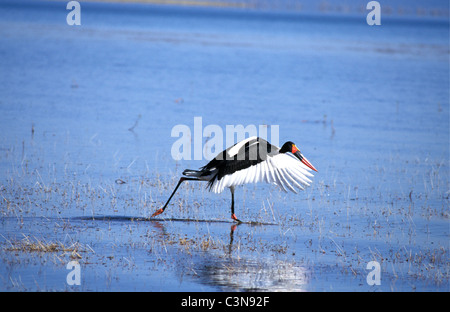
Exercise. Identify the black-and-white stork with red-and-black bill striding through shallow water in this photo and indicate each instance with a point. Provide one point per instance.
(252, 160)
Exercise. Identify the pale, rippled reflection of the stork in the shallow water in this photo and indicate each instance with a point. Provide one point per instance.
(229, 269)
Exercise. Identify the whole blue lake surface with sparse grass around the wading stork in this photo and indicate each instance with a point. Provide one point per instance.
(85, 108)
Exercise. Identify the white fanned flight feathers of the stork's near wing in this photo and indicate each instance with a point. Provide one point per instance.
(283, 170)
